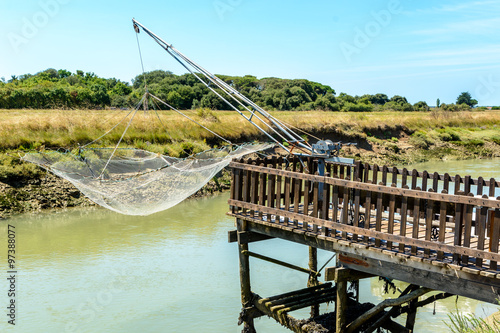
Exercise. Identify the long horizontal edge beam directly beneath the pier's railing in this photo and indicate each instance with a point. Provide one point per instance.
(392, 265)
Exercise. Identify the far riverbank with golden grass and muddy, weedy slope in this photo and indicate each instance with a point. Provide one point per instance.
(393, 138)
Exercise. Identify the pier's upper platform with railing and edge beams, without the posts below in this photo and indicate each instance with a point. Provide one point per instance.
(373, 223)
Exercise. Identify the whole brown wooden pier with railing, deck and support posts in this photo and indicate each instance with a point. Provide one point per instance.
(436, 232)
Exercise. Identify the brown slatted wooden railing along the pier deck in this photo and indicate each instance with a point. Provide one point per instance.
(394, 209)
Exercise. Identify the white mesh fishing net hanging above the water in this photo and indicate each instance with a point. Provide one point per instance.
(135, 181)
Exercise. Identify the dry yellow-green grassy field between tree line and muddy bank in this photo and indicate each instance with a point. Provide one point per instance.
(170, 133)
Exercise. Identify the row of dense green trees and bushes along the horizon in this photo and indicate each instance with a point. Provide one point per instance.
(63, 89)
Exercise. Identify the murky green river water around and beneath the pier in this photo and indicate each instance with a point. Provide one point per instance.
(92, 270)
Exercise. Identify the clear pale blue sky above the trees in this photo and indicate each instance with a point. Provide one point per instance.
(423, 50)
